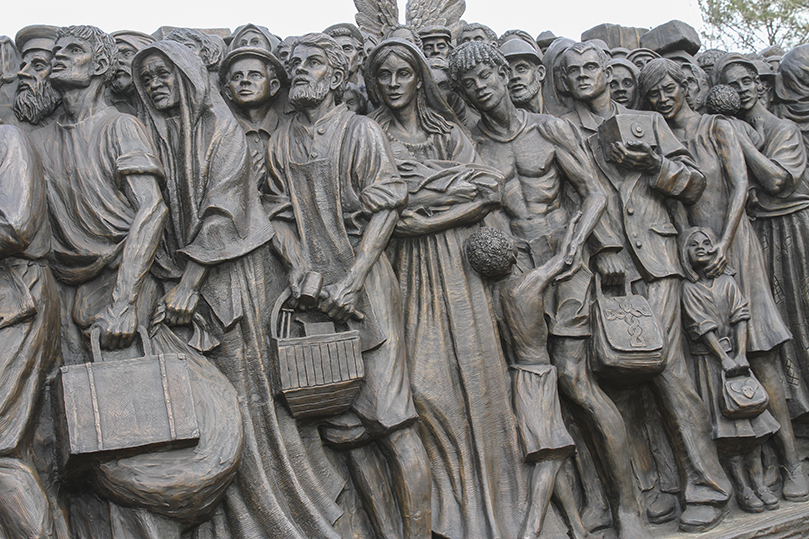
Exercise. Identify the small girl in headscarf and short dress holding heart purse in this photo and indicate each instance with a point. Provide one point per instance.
(715, 315)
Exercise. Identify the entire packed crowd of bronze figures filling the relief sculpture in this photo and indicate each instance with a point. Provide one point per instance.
(463, 202)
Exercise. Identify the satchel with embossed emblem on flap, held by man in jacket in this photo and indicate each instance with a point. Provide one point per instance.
(627, 341)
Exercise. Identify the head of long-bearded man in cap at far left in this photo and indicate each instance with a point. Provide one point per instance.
(35, 101)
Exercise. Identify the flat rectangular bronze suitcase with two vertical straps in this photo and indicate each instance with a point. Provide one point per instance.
(122, 408)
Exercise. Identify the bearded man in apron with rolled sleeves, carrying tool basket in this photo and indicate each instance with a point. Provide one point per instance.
(339, 194)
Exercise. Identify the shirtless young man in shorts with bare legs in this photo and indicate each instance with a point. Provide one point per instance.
(538, 154)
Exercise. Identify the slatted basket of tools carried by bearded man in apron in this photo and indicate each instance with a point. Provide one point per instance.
(317, 375)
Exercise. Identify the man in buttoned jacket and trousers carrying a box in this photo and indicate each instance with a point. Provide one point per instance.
(641, 219)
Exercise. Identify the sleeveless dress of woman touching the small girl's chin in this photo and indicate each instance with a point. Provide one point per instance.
(766, 329)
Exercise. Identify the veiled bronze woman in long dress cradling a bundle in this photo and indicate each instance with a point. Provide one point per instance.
(458, 372)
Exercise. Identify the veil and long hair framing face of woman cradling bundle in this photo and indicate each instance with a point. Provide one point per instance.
(434, 115)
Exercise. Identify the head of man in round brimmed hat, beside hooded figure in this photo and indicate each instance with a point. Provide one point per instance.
(252, 80)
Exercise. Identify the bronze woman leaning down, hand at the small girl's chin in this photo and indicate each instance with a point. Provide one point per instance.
(713, 142)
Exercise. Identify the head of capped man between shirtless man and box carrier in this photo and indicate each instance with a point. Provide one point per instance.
(527, 74)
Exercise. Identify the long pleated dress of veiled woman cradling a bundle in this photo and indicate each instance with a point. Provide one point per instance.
(459, 375)
